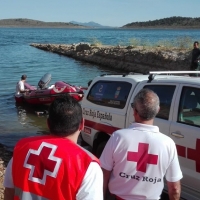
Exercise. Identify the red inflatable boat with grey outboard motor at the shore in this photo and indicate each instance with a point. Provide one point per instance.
(43, 95)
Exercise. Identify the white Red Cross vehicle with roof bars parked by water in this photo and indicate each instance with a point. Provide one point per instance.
(107, 108)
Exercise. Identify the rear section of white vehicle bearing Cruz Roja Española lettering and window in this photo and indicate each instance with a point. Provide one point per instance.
(105, 107)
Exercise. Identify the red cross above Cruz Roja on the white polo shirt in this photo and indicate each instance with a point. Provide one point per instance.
(142, 157)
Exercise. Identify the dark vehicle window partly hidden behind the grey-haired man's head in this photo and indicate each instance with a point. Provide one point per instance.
(165, 94)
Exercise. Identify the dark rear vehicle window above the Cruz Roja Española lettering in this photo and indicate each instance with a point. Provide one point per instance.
(111, 94)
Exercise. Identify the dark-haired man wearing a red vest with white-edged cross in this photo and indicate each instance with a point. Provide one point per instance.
(54, 166)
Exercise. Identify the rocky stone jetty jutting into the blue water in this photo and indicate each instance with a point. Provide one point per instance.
(124, 58)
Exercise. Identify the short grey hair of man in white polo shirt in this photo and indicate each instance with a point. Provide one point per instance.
(146, 103)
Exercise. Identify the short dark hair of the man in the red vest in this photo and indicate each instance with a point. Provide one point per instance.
(65, 116)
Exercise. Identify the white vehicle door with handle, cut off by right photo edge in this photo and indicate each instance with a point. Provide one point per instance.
(185, 131)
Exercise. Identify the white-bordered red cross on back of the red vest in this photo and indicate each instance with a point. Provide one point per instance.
(42, 162)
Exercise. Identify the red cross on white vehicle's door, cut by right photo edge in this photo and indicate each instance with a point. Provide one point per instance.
(193, 154)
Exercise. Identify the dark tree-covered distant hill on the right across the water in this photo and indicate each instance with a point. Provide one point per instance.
(171, 22)
